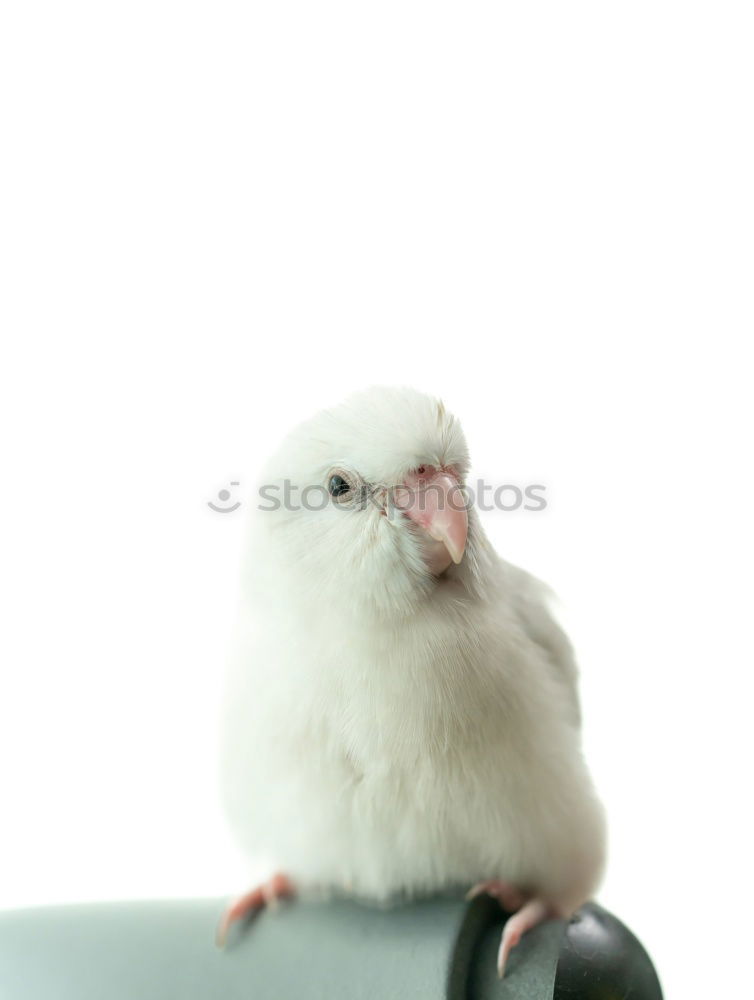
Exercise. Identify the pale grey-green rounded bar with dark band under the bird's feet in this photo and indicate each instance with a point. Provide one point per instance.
(441, 948)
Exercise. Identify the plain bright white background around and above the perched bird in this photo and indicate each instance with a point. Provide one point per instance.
(217, 218)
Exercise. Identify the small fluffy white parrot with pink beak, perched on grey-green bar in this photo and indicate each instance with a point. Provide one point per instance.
(402, 715)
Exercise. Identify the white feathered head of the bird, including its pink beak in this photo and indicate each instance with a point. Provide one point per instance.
(367, 508)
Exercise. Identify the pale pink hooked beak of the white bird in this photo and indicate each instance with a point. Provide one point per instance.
(433, 499)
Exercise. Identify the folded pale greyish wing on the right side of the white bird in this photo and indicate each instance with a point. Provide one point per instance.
(532, 600)
